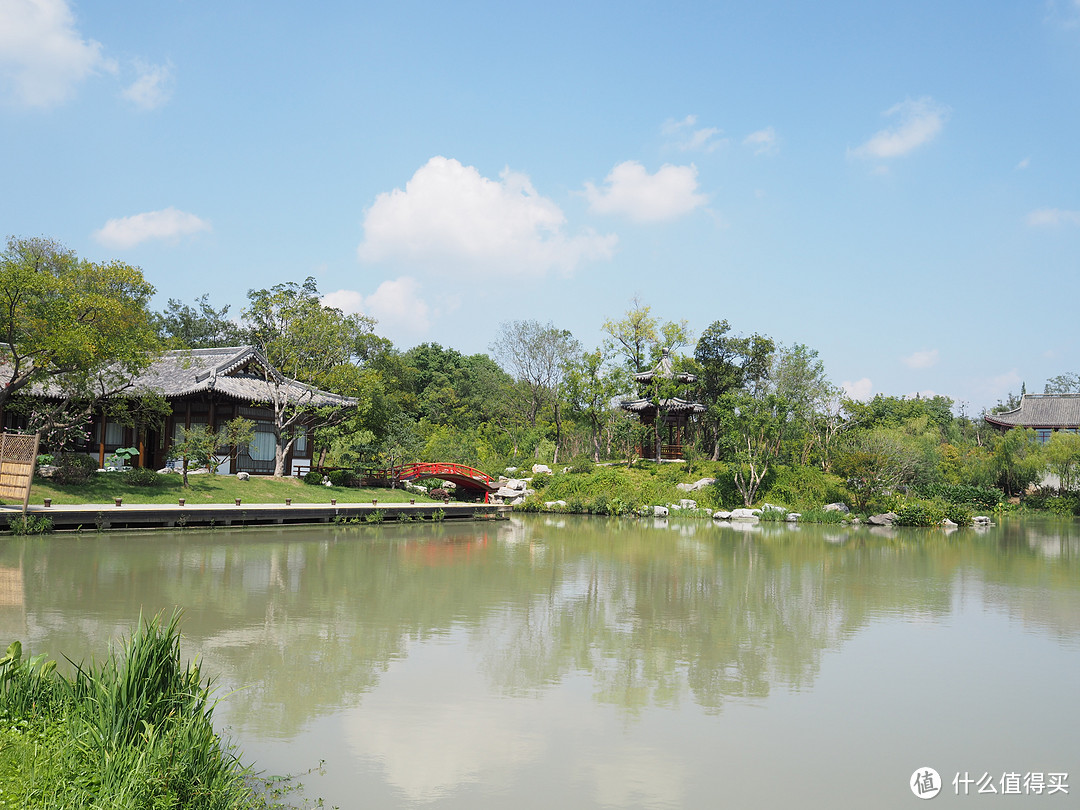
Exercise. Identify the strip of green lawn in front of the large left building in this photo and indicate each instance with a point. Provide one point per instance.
(210, 490)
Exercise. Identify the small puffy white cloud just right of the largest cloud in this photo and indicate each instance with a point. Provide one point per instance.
(647, 198)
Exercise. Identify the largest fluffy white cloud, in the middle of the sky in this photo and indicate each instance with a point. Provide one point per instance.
(451, 214)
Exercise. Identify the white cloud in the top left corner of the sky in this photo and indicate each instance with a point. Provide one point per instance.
(43, 56)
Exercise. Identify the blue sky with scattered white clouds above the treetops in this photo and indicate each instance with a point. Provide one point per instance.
(895, 185)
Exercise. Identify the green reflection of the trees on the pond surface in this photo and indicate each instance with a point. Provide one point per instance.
(305, 622)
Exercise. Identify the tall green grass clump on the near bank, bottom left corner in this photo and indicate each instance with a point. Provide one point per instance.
(134, 732)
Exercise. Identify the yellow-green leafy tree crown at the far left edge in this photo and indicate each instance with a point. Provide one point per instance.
(84, 329)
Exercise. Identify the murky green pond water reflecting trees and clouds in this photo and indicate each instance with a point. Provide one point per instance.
(584, 663)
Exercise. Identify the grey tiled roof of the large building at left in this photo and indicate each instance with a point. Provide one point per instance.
(239, 372)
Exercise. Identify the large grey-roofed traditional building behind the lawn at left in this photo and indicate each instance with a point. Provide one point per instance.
(206, 387)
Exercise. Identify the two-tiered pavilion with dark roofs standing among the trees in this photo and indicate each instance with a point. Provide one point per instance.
(660, 407)
